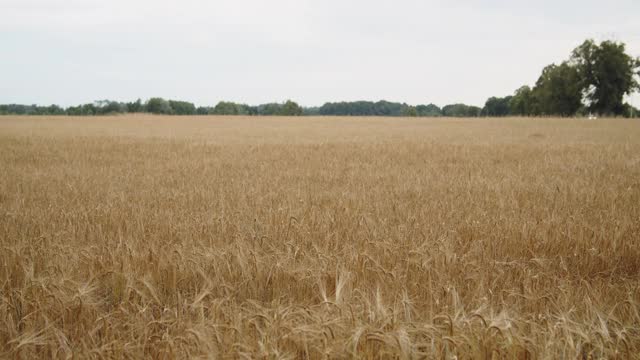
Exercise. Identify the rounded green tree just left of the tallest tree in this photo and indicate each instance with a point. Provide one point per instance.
(558, 91)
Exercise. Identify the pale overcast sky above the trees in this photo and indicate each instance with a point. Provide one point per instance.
(253, 51)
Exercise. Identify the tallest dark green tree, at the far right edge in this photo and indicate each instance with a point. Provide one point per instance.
(607, 73)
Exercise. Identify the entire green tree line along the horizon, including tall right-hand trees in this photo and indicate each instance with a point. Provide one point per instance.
(594, 80)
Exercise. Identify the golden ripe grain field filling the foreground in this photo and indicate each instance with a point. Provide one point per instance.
(314, 238)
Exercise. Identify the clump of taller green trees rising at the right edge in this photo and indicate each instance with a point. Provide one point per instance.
(594, 80)
